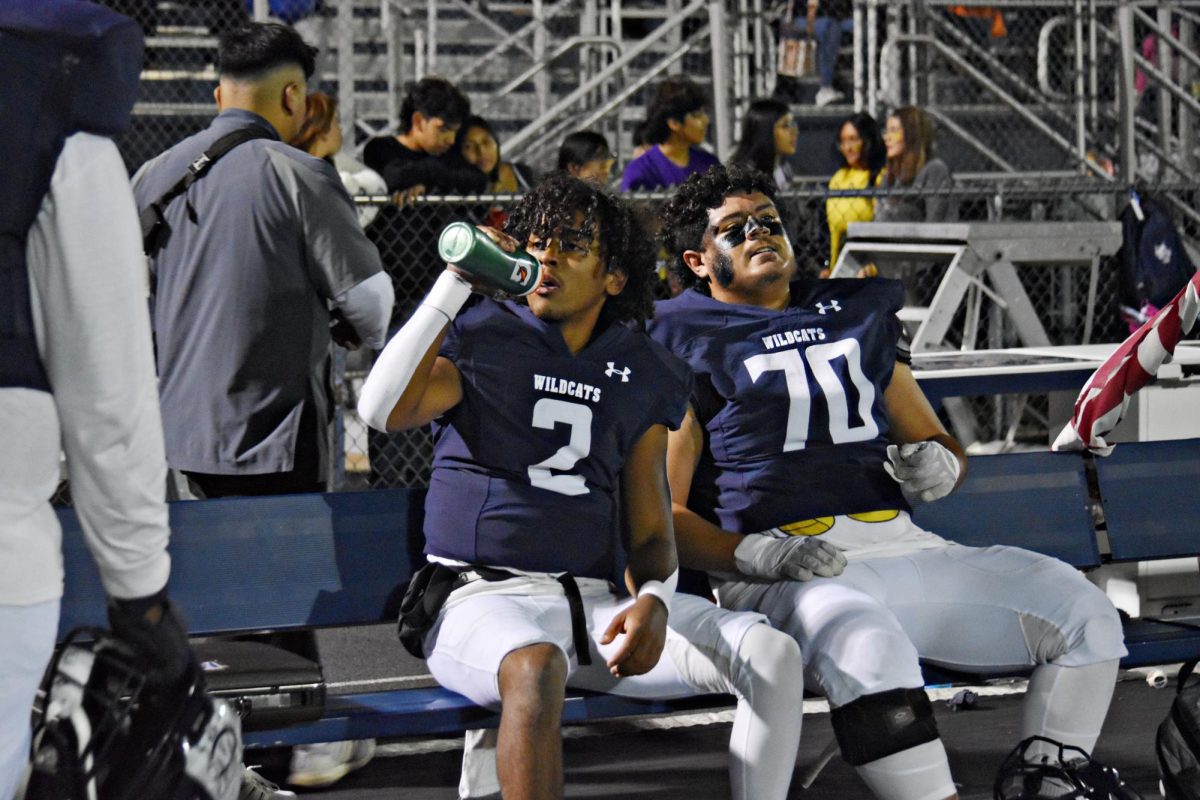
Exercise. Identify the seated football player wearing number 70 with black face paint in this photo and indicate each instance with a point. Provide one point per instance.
(793, 476)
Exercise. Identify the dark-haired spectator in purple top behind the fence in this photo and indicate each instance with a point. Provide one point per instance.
(677, 127)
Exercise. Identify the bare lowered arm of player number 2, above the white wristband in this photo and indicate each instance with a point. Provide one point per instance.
(652, 554)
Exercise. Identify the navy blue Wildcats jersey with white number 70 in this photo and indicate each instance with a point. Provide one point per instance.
(791, 402)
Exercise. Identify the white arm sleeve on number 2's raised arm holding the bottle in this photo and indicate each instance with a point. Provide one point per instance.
(398, 363)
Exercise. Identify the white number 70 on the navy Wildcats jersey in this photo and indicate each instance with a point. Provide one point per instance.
(820, 362)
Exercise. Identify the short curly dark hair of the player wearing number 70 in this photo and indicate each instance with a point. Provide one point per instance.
(686, 215)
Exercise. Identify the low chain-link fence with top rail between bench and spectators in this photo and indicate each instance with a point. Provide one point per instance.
(1060, 294)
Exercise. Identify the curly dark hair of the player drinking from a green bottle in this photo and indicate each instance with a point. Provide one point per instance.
(625, 245)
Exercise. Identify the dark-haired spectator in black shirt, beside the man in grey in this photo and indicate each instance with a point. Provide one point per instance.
(423, 154)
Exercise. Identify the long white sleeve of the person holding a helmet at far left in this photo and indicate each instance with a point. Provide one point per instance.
(89, 286)
